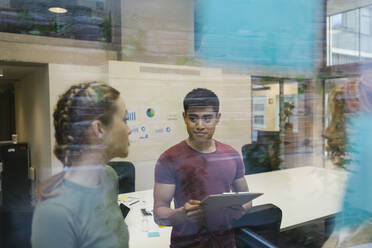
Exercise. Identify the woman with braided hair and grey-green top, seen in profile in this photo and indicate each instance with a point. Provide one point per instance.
(78, 207)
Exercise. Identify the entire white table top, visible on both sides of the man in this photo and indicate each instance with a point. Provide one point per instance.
(304, 194)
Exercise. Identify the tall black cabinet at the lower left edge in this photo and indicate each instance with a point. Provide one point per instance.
(16, 209)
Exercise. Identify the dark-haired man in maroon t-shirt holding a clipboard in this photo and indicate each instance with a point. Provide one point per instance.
(193, 169)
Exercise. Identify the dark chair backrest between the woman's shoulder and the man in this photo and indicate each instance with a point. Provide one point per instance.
(126, 173)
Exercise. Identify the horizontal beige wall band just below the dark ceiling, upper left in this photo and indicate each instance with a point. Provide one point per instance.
(38, 49)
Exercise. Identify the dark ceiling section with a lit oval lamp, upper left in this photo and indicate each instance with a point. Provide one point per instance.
(81, 20)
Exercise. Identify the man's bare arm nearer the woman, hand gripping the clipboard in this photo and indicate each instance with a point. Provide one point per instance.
(164, 215)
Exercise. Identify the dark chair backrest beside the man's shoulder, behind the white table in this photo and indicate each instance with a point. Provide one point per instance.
(256, 158)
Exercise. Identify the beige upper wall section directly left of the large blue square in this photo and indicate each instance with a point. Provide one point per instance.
(157, 31)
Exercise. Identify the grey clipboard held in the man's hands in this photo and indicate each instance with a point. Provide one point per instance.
(219, 201)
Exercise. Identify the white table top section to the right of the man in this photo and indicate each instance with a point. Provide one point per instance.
(304, 194)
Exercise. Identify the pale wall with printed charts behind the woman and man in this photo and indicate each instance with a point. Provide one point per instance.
(142, 86)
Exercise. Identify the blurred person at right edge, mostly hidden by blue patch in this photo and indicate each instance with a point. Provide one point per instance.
(351, 109)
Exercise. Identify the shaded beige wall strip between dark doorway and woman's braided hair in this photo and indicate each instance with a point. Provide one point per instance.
(32, 118)
